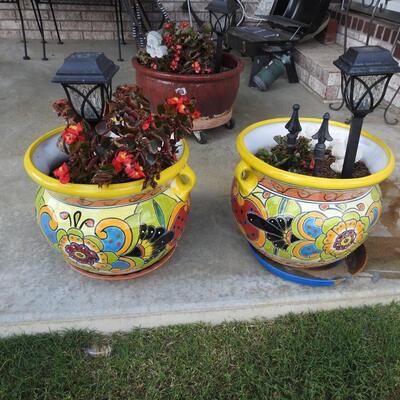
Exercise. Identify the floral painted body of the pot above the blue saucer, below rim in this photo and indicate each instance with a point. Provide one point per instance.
(304, 233)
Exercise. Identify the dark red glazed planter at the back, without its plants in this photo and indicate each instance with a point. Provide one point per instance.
(215, 94)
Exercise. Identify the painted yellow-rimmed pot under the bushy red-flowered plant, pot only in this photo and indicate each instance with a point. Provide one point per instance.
(117, 231)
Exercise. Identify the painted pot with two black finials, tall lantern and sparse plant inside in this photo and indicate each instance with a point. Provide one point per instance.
(307, 206)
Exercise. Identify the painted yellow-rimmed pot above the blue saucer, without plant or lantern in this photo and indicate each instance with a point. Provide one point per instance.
(304, 221)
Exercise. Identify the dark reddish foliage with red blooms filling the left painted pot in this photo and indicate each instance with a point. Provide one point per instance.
(128, 144)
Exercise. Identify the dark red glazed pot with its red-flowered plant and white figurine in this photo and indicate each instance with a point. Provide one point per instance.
(181, 58)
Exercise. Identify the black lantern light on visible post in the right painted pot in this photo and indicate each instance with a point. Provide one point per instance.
(366, 72)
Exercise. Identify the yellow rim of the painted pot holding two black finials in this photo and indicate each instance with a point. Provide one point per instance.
(310, 181)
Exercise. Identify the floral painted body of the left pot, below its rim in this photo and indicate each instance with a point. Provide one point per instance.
(113, 246)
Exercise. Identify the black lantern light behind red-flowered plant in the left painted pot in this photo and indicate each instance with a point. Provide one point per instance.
(86, 79)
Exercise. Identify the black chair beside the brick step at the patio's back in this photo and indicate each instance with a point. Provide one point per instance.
(289, 22)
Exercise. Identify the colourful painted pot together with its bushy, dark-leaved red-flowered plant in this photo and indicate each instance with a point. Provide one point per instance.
(114, 191)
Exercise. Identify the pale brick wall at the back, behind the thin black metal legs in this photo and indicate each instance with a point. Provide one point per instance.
(85, 22)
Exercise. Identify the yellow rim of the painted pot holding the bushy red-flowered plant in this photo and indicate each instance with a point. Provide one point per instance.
(91, 190)
